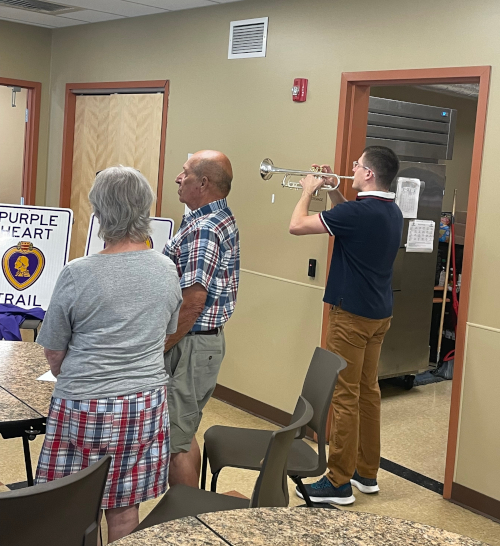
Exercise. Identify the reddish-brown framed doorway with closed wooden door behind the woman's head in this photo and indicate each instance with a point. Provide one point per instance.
(106, 125)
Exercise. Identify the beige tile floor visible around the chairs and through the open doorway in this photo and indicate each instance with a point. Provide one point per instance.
(414, 429)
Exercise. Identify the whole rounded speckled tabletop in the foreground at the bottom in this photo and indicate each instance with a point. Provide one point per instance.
(294, 527)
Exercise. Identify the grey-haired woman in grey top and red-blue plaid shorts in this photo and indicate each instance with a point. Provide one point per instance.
(104, 334)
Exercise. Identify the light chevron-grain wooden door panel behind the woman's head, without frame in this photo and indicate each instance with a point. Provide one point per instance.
(119, 129)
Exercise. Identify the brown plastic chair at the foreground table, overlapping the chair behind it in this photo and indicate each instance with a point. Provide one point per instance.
(270, 488)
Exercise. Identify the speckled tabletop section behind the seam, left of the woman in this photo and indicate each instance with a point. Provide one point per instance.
(20, 364)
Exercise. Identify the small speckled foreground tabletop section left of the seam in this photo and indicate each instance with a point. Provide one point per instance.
(185, 531)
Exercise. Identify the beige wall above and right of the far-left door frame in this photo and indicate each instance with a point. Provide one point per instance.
(25, 55)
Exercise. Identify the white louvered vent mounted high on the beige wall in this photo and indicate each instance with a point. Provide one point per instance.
(248, 38)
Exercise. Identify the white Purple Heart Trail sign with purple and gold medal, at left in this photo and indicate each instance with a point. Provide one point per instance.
(34, 247)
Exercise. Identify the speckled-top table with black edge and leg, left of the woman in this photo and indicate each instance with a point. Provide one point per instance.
(24, 401)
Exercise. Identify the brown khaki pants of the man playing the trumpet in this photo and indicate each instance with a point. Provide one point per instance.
(355, 431)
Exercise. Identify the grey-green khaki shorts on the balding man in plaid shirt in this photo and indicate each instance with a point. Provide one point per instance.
(193, 365)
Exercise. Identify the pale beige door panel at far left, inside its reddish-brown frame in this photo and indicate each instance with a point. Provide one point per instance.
(12, 128)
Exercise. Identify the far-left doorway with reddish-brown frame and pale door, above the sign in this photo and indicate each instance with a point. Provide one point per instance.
(20, 104)
